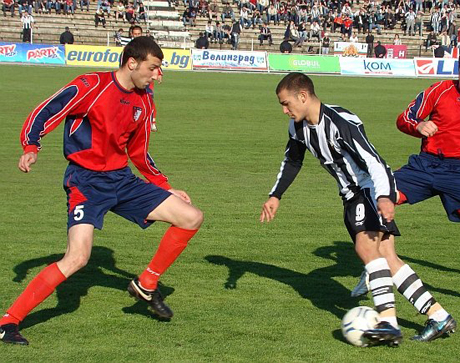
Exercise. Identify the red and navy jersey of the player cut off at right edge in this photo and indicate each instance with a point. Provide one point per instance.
(441, 103)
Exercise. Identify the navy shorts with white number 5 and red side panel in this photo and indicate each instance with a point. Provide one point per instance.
(91, 194)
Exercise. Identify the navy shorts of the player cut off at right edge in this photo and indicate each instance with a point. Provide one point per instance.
(427, 175)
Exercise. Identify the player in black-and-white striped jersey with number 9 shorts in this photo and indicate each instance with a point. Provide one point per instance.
(366, 184)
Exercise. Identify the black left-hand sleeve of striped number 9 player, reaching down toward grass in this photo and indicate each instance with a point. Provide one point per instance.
(290, 166)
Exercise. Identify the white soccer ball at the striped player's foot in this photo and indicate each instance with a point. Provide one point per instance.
(356, 321)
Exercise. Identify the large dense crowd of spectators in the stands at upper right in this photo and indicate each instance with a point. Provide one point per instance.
(310, 20)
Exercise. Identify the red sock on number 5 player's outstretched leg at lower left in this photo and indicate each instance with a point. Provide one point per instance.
(37, 291)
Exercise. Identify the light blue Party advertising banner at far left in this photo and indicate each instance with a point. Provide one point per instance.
(32, 53)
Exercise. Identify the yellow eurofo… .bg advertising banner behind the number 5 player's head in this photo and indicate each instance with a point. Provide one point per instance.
(100, 56)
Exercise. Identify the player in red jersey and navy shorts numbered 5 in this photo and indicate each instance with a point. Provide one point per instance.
(108, 118)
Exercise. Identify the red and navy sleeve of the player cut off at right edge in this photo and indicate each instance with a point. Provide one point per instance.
(418, 110)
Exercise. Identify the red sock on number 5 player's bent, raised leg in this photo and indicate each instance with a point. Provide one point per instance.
(171, 246)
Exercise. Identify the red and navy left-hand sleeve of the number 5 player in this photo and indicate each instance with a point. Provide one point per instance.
(71, 98)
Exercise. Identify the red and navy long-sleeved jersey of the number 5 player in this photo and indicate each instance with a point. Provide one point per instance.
(104, 125)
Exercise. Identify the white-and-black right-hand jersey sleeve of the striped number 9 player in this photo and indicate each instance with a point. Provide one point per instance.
(366, 156)
